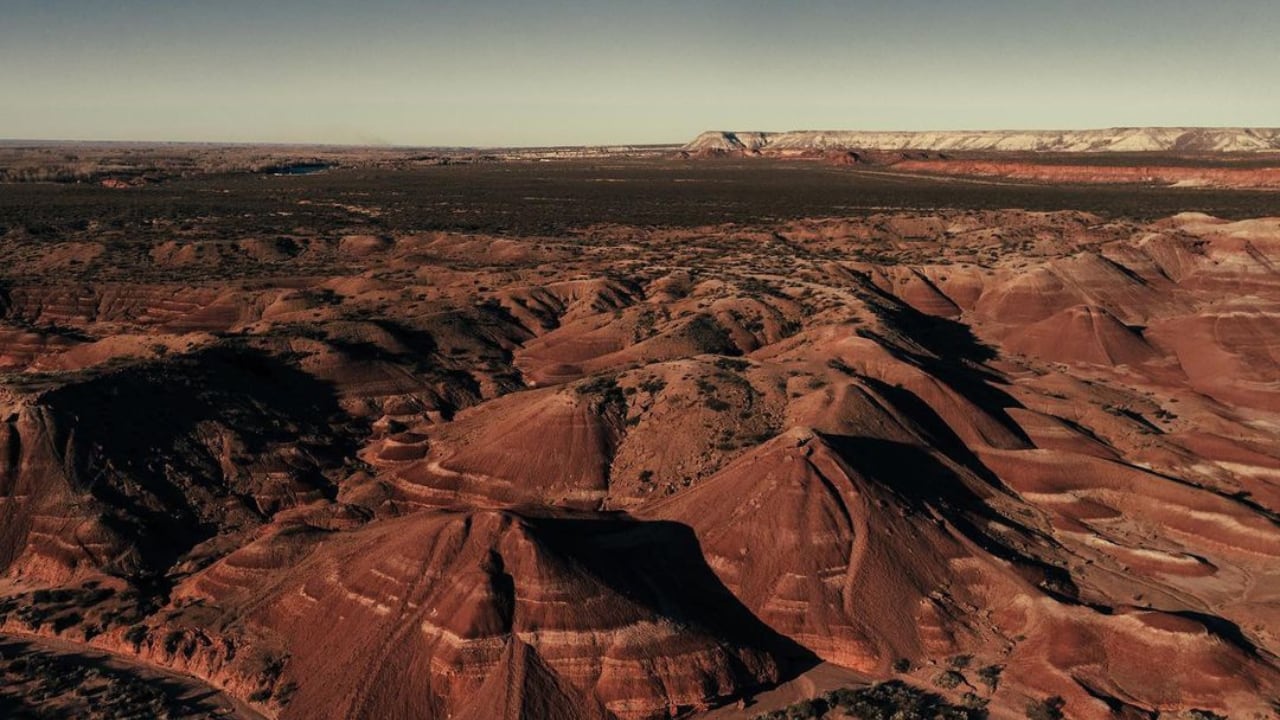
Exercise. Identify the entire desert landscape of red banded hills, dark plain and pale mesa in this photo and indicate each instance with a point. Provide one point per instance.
(761, 427)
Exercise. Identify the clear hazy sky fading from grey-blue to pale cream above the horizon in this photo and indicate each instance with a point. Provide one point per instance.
(577, 72)
